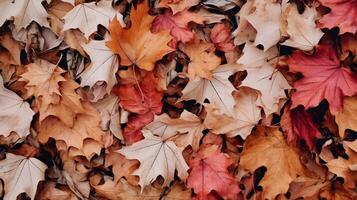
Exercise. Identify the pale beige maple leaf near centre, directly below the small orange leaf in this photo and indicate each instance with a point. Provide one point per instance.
(217, 90)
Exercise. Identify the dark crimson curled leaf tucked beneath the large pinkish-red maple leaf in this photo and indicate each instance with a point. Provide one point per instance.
(298, 124)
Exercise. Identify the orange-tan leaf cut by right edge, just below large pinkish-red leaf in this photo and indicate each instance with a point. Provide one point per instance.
(346, 118)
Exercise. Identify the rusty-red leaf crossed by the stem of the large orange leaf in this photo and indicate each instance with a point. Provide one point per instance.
(144, 101)
